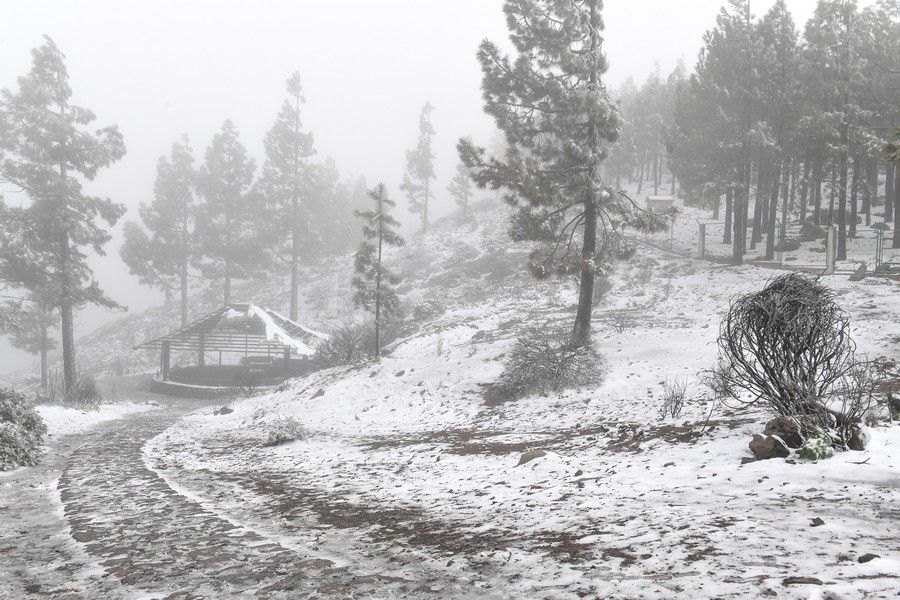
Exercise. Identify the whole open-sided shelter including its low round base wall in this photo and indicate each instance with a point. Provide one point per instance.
(249, 346)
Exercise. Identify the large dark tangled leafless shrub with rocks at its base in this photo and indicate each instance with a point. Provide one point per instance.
(789, 347)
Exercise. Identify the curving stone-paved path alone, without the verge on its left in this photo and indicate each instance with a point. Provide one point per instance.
(155, 540)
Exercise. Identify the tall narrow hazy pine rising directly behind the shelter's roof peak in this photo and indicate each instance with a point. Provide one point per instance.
(286, 183)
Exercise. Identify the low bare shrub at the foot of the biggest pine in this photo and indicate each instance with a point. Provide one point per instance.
(543, 361)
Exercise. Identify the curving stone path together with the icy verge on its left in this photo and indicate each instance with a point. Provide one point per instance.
(94, 522)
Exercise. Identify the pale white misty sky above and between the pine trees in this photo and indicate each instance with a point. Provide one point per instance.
(165, 67)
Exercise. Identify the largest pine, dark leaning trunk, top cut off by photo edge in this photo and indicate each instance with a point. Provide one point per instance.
(551, 103)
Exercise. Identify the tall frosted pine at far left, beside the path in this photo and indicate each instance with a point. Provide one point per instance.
(49, 150)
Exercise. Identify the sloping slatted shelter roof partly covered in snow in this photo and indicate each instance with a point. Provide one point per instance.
(244, 328)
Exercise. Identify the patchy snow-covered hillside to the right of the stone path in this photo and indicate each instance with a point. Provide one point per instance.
(406, 456)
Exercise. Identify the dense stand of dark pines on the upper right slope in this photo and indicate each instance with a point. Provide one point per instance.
(793, 126)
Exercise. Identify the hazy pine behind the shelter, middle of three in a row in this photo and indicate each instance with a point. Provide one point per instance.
(229, 227)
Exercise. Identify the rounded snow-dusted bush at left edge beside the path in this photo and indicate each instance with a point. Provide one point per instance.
(21, 431)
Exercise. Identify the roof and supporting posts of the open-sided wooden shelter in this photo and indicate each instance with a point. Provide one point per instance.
(265, 340)
